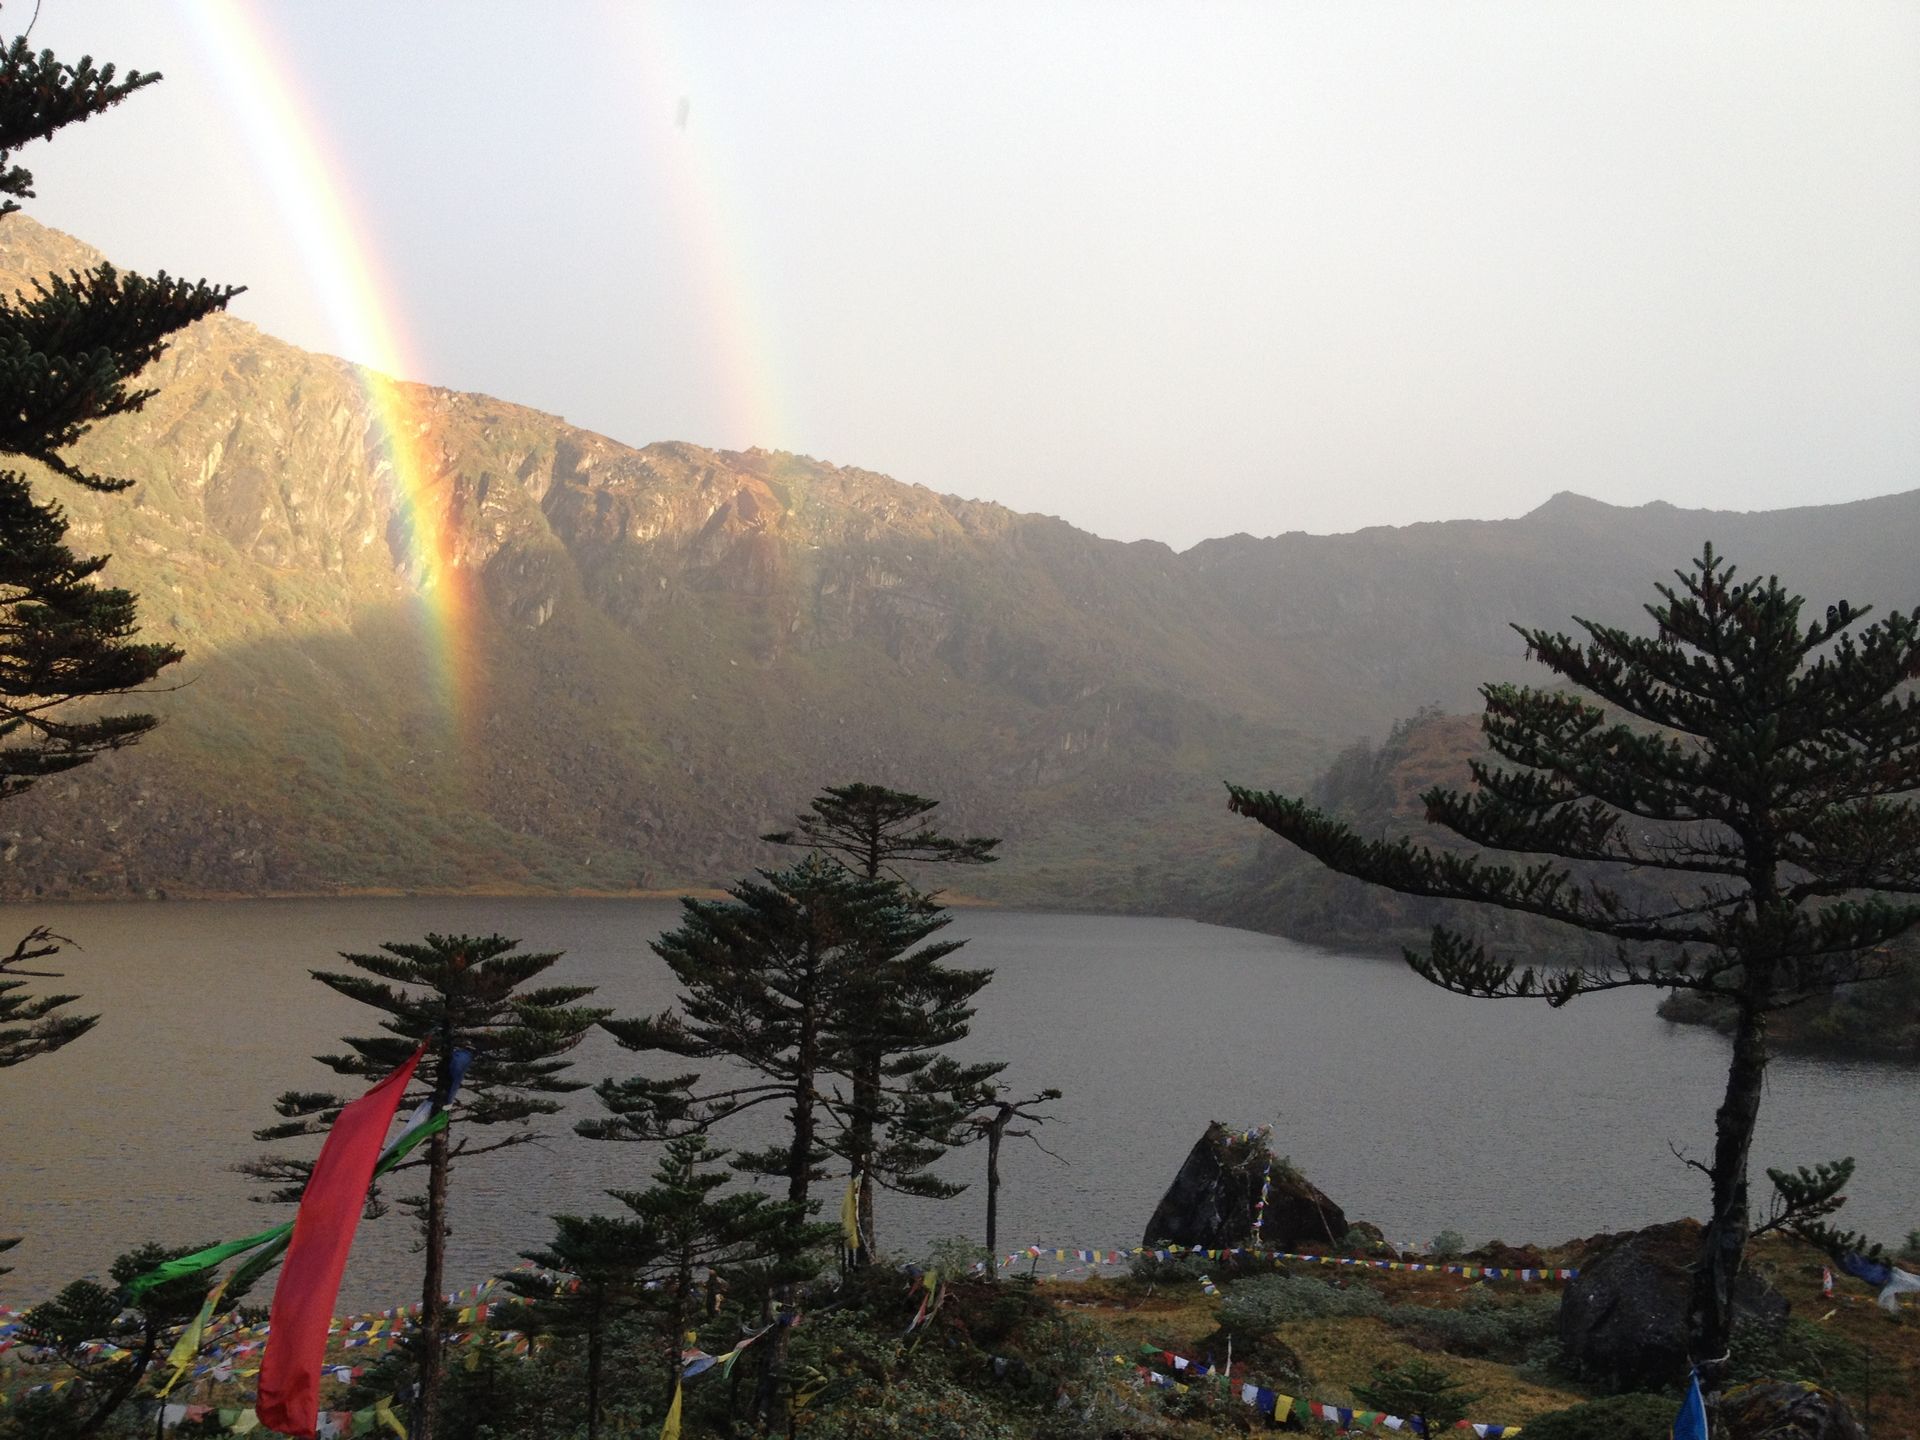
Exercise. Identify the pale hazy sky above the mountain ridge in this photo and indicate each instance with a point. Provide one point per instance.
(1163, 270)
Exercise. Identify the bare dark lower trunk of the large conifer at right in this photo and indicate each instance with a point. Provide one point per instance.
(1725, 1239)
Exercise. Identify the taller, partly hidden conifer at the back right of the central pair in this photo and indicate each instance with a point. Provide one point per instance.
(873, 830)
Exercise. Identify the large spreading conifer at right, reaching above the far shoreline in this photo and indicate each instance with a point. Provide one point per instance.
(1733, 817)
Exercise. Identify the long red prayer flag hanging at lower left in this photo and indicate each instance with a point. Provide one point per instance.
(318, 1257)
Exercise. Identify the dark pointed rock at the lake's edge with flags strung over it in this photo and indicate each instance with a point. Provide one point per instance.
(1216, 1195)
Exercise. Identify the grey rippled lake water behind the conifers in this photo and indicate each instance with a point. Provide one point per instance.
(1410, 1107)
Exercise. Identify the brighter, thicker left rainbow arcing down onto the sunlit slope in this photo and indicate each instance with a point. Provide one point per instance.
(318, 208)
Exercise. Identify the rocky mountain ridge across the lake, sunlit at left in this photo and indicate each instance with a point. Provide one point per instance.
(677, 646)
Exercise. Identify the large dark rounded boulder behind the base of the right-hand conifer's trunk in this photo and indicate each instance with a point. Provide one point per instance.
(1623, 1318)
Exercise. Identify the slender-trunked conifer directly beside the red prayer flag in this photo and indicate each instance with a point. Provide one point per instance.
(458, 996)
